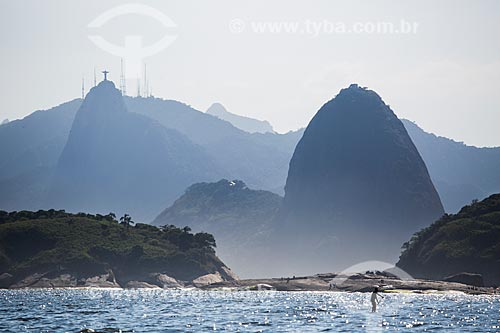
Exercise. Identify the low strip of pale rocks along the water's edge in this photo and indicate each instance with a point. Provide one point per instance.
(320, 282)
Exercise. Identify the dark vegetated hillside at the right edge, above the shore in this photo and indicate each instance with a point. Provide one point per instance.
(468, 241)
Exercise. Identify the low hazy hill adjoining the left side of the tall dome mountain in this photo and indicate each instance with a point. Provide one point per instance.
(241, 219)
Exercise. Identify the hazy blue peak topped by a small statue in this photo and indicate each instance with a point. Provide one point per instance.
(113, 157)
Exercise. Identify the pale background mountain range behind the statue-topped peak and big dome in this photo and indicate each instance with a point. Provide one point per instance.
(31, 147)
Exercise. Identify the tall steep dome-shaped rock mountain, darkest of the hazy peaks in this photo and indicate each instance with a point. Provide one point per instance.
(356, 187)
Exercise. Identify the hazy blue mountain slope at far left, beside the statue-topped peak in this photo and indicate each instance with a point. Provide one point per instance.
(30, 149)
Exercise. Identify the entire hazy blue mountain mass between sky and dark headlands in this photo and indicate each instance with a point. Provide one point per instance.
(355, 162)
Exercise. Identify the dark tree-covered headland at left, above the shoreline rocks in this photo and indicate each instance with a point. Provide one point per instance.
(88, 245)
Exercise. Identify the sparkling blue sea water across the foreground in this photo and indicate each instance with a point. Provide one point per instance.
(104, 310)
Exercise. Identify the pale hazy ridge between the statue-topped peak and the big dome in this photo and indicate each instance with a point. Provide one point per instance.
(259, 159)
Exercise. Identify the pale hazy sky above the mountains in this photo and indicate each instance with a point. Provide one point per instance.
(445, 75)
